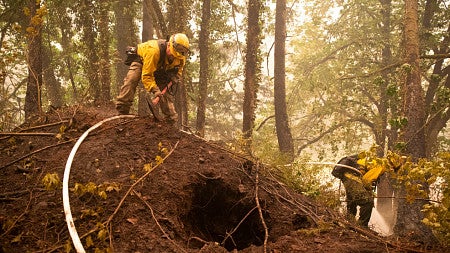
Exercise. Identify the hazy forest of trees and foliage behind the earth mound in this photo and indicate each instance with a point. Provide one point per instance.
(294, 83)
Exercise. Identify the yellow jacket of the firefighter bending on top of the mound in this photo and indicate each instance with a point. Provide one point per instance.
(150, 53)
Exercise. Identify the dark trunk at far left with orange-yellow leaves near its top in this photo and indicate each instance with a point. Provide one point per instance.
(34, 40)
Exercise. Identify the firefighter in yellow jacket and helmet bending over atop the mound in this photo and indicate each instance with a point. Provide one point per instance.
(156, 63)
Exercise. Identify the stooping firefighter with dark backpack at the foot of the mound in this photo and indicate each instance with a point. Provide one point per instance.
(358, 182)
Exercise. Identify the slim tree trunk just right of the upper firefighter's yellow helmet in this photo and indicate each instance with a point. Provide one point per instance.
(204, 69)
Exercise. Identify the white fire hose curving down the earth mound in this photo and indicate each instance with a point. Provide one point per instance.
(70, 224)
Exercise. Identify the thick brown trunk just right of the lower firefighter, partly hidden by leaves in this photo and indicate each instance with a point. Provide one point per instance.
(409, 216)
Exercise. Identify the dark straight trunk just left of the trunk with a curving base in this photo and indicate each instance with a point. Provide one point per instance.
(252, 71)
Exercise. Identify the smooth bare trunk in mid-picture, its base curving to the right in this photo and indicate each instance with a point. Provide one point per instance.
(285, 142)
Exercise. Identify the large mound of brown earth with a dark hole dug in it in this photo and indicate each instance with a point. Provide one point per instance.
(137, 185)
